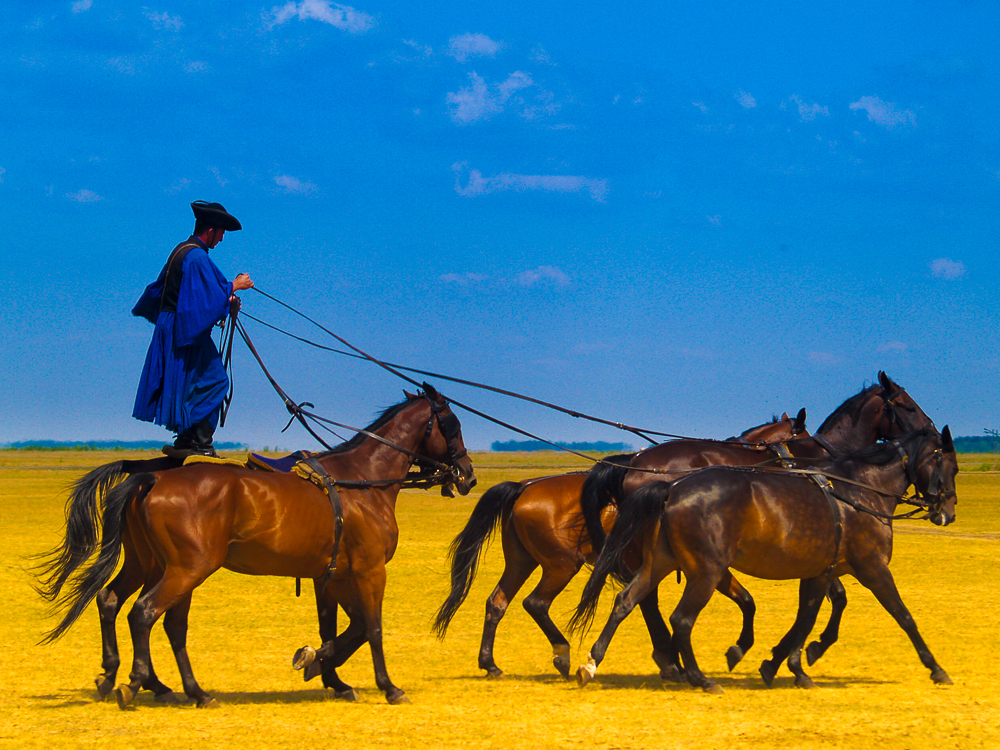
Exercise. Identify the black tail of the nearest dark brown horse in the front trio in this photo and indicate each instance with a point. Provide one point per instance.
(644, 504)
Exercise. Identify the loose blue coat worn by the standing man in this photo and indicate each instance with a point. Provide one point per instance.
(183, 380)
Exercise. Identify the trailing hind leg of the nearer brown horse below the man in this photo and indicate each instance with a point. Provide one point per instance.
(165, 594)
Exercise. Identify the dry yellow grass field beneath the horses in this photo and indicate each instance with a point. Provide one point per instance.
(243, 631)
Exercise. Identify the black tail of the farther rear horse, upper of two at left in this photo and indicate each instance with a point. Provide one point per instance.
(82, 514)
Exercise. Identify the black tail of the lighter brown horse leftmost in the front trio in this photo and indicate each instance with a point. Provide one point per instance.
(467, 547)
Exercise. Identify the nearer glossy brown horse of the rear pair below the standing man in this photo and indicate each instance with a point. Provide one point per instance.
(184, 524)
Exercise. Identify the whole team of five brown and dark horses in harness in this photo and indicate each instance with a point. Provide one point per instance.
(774, 502)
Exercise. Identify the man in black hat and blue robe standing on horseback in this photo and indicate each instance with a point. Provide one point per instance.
(184, 381)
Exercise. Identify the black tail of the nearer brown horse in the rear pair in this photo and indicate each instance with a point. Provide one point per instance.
(66, 568)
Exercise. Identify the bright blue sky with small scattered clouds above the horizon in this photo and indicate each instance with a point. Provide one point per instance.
(683, 216)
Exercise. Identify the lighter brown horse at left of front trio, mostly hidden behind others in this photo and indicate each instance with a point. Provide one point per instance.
(542, 525)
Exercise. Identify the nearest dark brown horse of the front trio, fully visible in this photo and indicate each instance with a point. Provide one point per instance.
(777, 525)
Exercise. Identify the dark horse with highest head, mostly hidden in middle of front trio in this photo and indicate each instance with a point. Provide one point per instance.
(881, 411)
